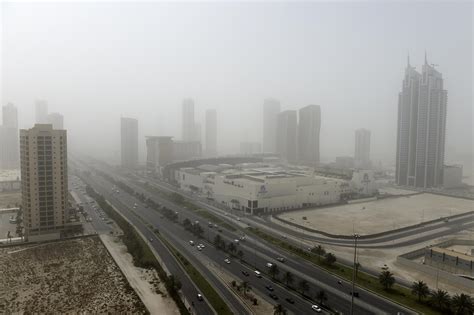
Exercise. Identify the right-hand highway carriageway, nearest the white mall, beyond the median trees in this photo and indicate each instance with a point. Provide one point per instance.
(339, 297)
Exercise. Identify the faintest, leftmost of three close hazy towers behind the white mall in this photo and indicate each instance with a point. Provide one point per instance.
(271, 109)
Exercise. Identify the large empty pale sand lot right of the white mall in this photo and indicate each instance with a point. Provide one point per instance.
(380, 215)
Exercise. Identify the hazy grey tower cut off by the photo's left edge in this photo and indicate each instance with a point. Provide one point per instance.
(9, 146)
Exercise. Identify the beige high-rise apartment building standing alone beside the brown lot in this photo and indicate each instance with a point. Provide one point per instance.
(44, 181)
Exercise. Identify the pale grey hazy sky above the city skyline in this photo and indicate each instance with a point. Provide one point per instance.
(96, 61)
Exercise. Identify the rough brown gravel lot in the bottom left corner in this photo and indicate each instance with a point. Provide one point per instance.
(64, 277)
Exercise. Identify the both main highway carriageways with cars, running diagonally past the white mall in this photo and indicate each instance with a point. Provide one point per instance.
(257, 254)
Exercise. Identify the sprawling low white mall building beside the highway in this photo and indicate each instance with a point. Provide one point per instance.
(264, 189)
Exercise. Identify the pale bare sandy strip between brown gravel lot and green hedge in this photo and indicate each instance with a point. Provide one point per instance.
(140, 279)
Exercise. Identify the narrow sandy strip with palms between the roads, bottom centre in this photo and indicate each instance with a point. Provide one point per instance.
(263, 307)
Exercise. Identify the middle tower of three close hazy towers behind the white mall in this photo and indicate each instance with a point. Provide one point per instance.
(287, 135)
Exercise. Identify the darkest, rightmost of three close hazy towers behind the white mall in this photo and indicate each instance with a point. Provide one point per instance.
(308, 134)
